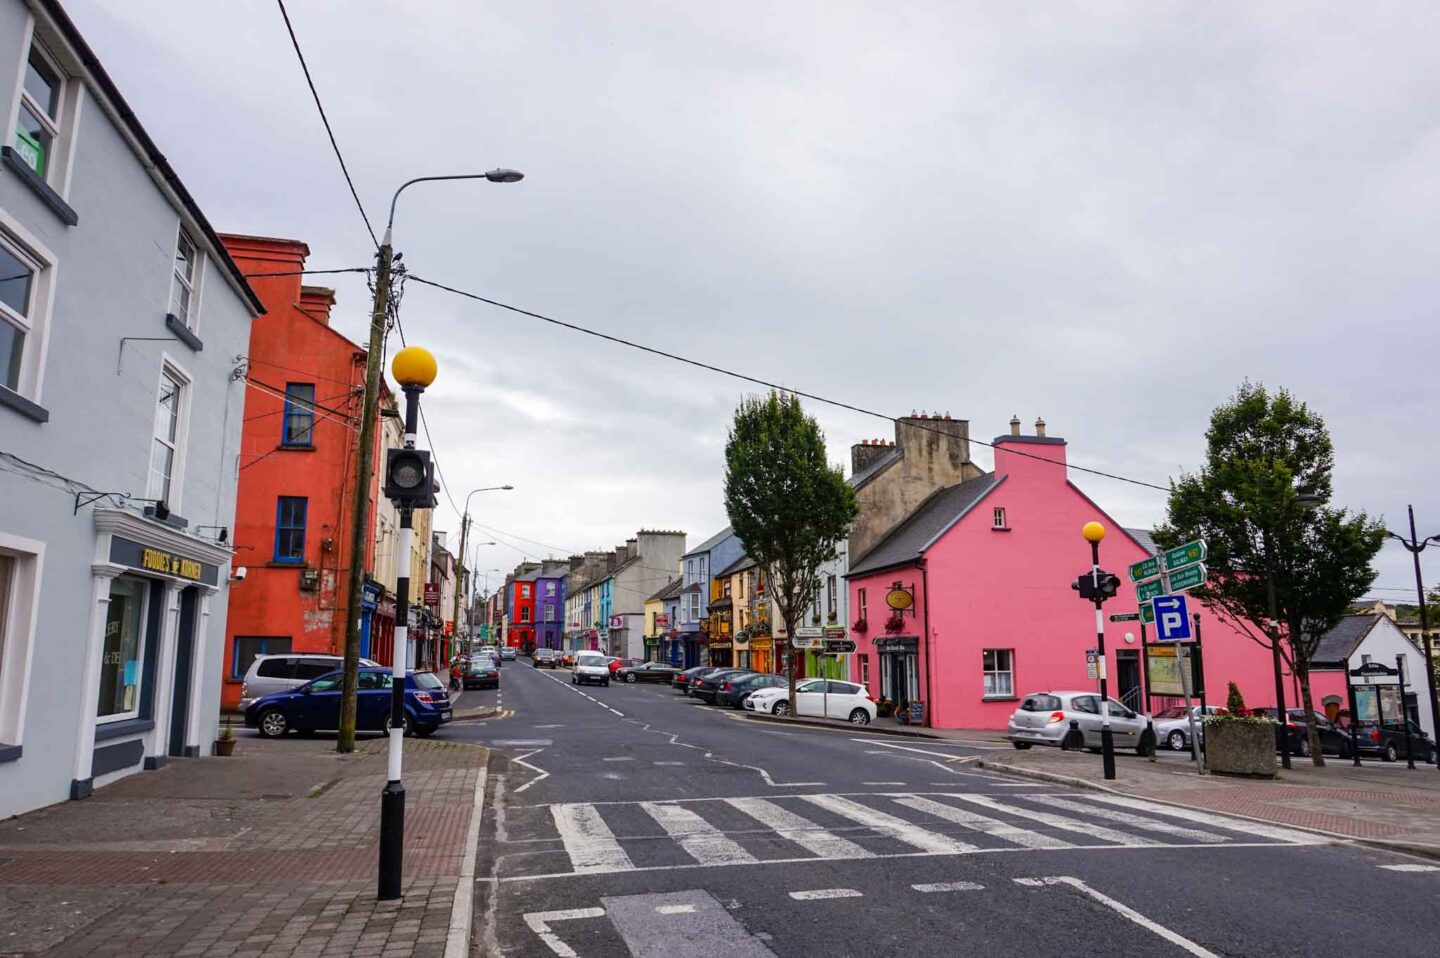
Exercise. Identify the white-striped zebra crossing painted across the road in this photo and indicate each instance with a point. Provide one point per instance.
(570, 839)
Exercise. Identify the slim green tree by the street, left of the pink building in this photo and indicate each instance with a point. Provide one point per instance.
(787, 503)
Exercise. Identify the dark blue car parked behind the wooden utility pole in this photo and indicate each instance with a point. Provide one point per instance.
(316, 705)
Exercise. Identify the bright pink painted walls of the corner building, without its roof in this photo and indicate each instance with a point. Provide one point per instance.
(1012, 590)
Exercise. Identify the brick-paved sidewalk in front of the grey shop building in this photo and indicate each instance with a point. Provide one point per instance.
(271, 852)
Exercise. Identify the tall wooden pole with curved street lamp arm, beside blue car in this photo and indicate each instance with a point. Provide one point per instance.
(365, 462)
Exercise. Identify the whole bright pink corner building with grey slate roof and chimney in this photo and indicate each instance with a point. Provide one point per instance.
(990, 564)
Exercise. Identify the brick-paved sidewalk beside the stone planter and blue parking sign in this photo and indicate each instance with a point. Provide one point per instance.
(1377, 803)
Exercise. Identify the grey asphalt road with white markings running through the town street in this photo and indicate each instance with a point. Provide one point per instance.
(629, 820)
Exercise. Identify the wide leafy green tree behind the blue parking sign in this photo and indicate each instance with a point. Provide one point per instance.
(1285, 567)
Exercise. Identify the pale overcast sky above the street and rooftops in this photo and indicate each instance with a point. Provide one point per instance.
(1105, 217)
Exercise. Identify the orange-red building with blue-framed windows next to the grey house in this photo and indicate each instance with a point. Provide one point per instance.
(297, 469)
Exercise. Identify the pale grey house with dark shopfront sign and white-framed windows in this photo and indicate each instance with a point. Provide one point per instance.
(123, 323)
